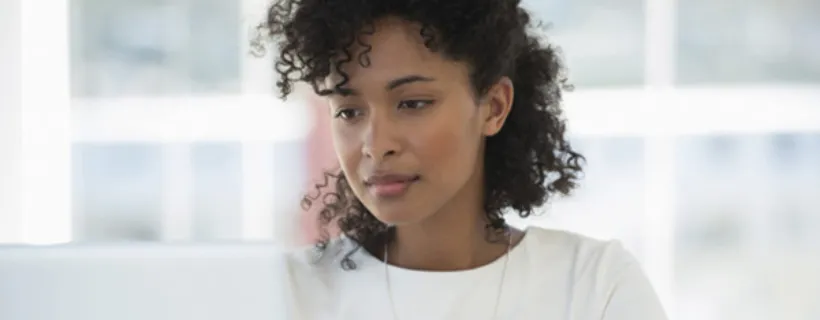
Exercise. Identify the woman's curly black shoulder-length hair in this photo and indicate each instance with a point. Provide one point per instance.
(526, 163)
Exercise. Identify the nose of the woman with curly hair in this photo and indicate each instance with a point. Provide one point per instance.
(381, 139)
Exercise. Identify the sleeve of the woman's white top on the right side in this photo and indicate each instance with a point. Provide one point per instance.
(631, 295)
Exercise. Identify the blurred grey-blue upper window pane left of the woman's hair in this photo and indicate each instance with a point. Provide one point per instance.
(155, 48)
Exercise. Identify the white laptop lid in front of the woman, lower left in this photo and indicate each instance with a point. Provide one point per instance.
(141, 282)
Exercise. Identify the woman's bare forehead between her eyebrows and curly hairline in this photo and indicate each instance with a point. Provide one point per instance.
(396, 49)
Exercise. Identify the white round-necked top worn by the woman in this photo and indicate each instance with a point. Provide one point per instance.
(550, 275)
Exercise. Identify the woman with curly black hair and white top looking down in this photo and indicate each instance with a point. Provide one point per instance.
(446, 115)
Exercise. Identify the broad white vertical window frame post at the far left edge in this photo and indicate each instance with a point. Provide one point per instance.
(38, 145)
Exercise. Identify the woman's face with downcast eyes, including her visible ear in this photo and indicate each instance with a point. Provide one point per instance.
(409, 134)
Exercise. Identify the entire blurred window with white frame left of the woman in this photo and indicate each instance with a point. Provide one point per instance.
(118, 153)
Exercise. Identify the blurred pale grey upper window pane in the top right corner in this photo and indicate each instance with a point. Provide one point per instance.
(759, 41)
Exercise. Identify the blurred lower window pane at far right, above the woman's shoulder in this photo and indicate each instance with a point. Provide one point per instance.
(738, 215)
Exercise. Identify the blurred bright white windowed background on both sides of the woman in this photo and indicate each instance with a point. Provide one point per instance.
(148, 121)
